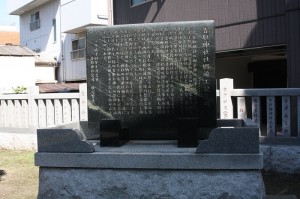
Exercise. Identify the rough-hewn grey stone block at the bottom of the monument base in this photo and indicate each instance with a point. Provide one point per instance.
(56, 183)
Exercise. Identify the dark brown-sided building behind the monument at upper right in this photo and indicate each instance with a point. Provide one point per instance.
(257, 41)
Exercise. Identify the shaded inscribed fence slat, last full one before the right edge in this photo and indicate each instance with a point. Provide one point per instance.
(286, 116)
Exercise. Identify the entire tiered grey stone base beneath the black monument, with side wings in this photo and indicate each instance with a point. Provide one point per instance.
(226, 165)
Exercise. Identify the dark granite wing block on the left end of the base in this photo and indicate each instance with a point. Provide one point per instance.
(63, 140)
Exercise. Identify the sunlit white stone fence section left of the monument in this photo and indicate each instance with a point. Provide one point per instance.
(42, 110)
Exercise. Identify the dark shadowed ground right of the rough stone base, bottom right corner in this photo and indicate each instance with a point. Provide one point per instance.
(282, 184)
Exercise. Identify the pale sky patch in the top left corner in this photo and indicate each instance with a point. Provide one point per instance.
(5, 18)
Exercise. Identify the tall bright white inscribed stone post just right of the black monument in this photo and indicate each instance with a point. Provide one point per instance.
(226, 109)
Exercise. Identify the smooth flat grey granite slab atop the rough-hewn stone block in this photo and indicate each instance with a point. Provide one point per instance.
(141, 155)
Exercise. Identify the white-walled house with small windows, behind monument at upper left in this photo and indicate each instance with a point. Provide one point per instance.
(56, 28)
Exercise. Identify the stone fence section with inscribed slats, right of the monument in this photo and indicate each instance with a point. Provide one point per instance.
(288, 112)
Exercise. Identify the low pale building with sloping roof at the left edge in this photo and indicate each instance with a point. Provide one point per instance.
(21, 67)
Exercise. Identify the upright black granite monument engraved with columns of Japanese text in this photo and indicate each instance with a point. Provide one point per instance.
(151, 81)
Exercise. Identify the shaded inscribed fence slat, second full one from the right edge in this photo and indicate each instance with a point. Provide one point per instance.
(271, 116)
